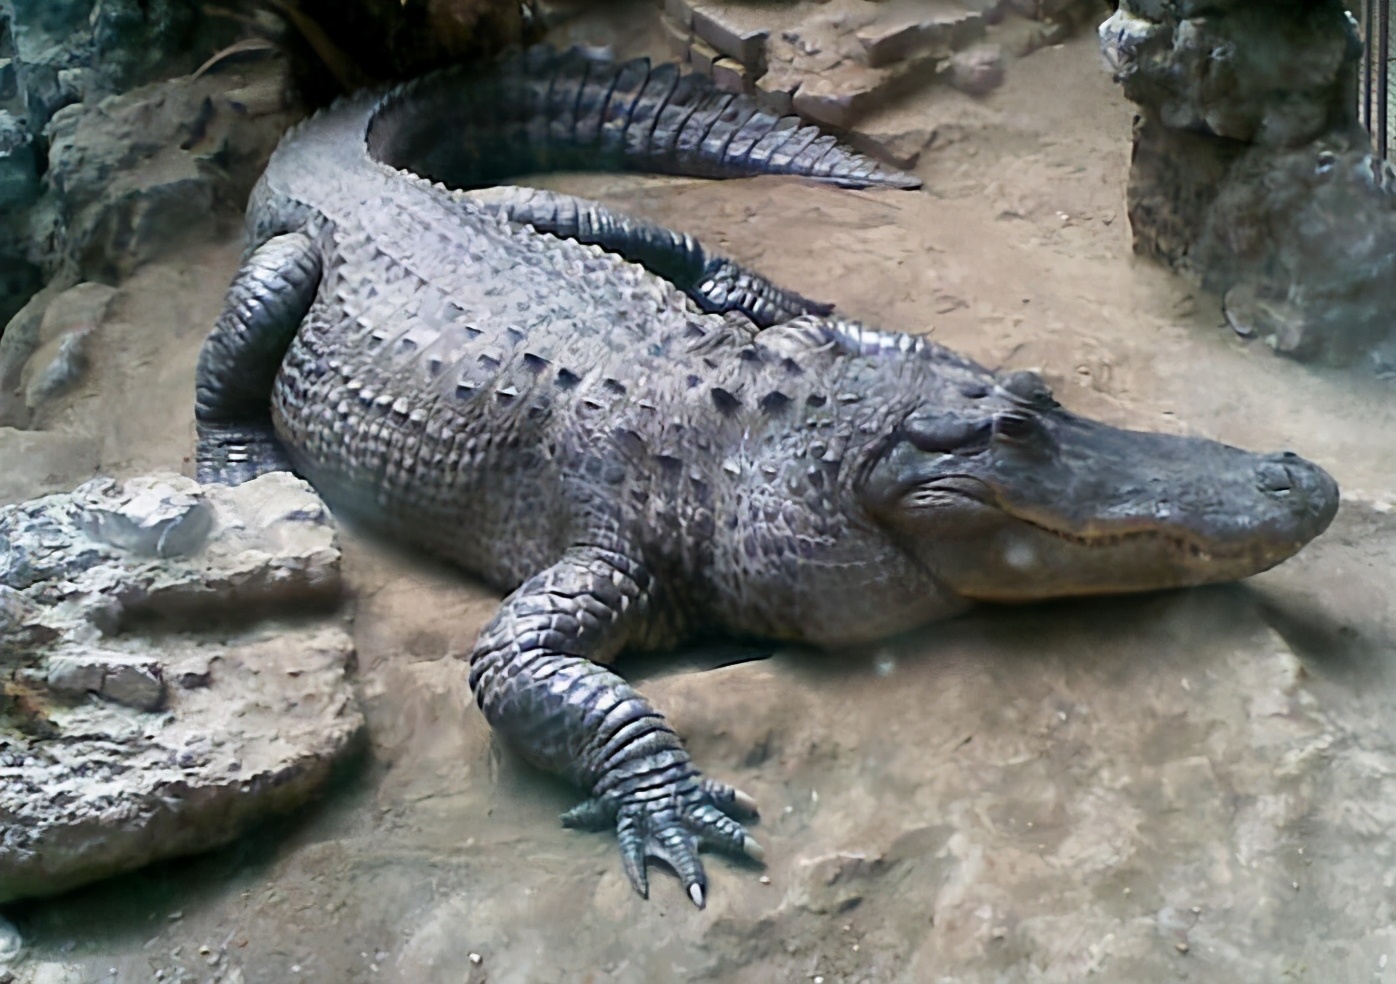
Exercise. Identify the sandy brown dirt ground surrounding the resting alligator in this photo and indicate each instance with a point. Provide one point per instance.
(1189, 787)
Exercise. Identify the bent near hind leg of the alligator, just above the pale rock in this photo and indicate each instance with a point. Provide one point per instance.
(241, 359)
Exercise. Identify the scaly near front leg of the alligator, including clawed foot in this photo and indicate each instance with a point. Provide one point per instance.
(534, 676)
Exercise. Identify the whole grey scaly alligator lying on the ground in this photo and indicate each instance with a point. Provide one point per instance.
(641, 442)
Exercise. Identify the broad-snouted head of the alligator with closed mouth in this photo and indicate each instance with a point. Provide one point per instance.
(1009, 498)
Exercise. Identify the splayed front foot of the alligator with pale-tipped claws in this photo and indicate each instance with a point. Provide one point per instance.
(671, 826)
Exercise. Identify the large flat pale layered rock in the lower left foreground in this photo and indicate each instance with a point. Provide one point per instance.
(107, 767)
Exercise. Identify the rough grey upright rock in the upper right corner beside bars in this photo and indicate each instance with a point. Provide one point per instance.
(1252, 174)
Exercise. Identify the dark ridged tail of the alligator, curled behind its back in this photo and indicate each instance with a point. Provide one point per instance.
(572, 111)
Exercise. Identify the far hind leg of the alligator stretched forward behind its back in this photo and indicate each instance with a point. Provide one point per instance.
(717, 284)
